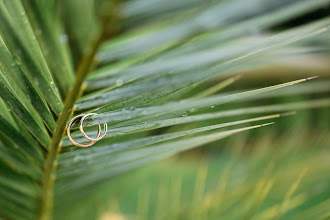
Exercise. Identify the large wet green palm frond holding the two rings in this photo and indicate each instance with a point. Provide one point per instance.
(144, 59)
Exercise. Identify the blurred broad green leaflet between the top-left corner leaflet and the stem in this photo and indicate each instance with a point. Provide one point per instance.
(53, 42)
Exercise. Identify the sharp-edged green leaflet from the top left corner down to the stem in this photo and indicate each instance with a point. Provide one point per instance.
(20, 40)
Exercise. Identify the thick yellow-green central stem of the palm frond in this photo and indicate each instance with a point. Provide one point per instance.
(109, 29)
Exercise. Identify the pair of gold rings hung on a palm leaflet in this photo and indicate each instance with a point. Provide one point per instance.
(92, 140)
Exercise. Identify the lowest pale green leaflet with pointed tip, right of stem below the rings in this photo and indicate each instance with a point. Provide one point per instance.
(127, 160)
